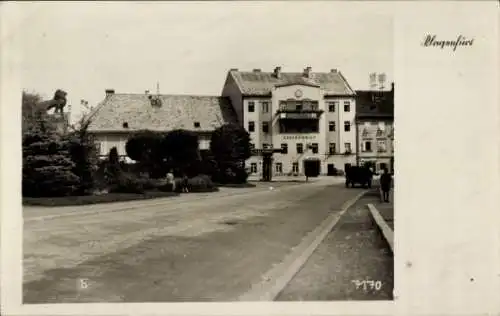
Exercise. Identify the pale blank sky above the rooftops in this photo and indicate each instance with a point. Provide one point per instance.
(85, 48)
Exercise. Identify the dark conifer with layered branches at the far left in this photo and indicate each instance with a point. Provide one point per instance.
(47, 164)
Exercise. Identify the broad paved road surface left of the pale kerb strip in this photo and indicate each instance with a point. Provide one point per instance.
(192, 248)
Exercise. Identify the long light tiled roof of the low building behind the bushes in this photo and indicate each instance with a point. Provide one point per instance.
(175, 111)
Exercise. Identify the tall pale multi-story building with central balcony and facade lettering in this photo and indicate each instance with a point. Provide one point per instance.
(310, 115)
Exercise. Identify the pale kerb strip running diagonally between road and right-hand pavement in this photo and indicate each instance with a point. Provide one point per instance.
(276, 279)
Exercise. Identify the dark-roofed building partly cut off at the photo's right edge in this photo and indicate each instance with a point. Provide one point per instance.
(375, 128)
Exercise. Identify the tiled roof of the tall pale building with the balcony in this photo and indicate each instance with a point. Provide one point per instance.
(261, 83)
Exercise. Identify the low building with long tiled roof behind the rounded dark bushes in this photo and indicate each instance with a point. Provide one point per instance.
(121, 114)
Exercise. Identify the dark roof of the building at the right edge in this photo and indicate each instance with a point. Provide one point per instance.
(375, 104)
